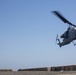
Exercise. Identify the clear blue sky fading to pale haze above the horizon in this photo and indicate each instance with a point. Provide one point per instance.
(28, 31)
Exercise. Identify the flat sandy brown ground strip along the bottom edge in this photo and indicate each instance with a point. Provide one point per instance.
(38, 73)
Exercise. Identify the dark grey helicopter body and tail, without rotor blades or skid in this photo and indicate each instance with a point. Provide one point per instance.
(68, 36)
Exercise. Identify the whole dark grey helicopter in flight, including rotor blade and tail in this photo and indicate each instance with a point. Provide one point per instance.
(69, 35)
